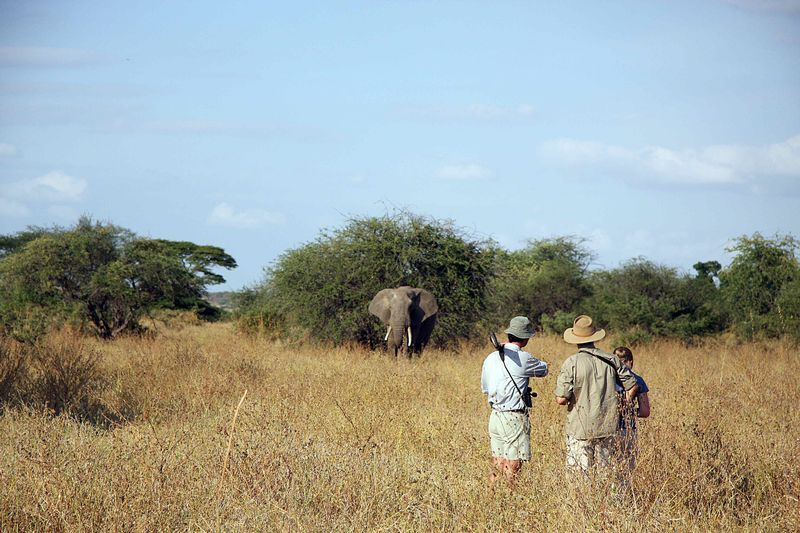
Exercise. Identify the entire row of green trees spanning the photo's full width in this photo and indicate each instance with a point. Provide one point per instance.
(103, 278)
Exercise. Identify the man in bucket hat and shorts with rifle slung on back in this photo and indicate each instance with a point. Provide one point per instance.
(504, 379)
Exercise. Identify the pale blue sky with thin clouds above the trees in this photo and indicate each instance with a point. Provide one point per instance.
(656, 129)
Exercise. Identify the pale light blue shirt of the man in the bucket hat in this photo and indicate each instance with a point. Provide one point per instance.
(496, 383)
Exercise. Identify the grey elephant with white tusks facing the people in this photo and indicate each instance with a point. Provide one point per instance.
(409, 312)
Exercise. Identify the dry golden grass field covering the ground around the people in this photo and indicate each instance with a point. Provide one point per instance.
(340, 439)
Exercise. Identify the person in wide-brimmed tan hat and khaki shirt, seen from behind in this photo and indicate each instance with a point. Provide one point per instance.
(586, 386)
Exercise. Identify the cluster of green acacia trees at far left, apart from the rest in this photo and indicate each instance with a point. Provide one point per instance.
(100, 277)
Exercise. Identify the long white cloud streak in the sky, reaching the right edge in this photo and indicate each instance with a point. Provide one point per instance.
(712, 165)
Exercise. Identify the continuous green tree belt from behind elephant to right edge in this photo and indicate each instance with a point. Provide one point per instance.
(321, 289)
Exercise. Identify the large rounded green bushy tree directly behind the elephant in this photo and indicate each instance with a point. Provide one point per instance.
(324, 287)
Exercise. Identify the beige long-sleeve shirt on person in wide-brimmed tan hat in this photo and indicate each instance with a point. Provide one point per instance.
(588, 384)
